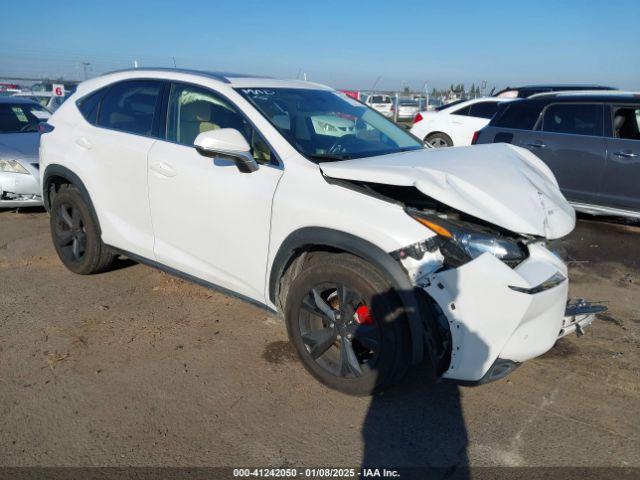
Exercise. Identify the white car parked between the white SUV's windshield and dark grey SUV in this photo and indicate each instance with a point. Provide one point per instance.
(453, 125)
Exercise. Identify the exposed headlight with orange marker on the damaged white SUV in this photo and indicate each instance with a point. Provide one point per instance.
(461, 242)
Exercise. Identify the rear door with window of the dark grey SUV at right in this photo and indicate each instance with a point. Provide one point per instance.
(569, 139)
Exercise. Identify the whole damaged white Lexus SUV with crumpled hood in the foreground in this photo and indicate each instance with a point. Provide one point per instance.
(379, 252)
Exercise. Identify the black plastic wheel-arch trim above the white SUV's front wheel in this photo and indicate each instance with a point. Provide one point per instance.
(309, 239)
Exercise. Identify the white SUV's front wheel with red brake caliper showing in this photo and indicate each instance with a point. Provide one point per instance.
(359, 346)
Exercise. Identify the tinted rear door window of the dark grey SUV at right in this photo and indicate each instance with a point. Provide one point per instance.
(573, 119)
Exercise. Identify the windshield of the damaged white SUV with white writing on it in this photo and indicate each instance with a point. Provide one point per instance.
(327, 125)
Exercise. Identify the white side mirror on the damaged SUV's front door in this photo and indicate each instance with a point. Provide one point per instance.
(229, 144)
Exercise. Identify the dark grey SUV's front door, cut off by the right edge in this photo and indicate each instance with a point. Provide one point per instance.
(621, 183)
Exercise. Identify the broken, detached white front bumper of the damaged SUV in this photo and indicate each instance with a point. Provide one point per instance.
(498, 315)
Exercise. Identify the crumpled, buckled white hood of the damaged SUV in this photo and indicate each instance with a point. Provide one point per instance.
(502, 184)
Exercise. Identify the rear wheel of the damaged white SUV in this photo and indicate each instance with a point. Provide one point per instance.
(75, 234)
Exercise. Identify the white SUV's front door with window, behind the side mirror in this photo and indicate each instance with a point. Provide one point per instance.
(210, 220)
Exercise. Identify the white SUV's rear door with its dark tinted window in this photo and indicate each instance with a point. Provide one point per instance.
(112, 147)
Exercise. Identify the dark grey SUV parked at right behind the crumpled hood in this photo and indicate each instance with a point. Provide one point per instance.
(591, 142)
